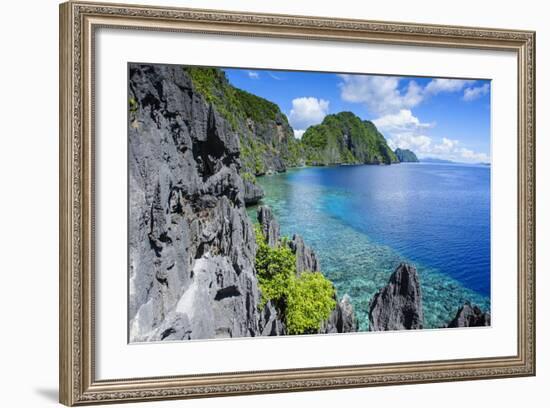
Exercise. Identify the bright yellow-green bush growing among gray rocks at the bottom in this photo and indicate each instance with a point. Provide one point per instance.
(304, 301)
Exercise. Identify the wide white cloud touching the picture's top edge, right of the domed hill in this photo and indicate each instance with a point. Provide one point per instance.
(383, 95)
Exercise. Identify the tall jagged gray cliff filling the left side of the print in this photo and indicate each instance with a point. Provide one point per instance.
(191, 244)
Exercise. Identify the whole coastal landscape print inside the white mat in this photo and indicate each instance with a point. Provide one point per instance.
(271, 203)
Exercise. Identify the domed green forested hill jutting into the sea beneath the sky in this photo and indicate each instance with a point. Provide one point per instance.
(344, 138)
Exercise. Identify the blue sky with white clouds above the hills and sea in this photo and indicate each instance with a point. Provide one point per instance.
(434, 117)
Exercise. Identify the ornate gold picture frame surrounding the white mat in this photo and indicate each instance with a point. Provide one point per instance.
(78, 22)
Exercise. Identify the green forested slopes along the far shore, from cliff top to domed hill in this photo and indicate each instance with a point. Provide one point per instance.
(266, 137)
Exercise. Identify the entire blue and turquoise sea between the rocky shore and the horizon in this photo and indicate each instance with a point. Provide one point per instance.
(362, 221)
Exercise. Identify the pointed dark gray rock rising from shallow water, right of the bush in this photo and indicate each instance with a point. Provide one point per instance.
(398, 305)
